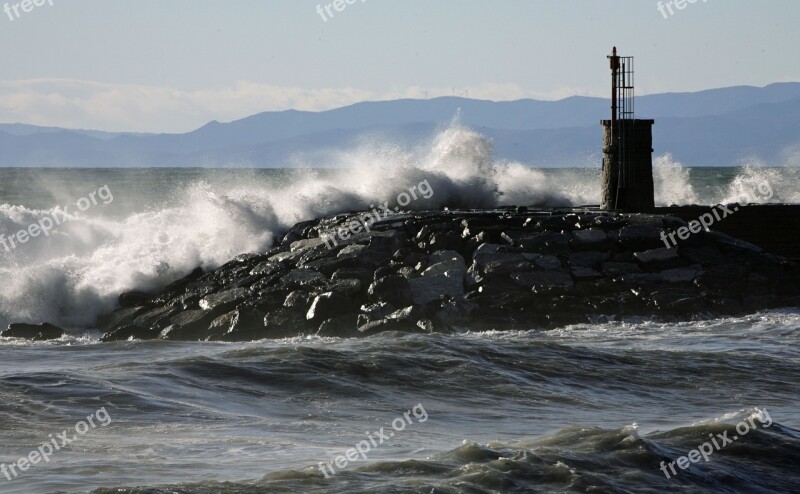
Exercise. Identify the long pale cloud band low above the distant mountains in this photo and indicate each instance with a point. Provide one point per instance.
(130, 108)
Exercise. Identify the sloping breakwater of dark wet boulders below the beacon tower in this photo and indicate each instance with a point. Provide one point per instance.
(455, 270)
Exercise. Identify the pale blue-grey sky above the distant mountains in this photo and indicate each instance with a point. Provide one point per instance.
(174, 65)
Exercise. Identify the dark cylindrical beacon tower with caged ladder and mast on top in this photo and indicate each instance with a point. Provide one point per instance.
(627, 176)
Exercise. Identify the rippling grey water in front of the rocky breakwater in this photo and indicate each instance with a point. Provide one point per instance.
(509, 411)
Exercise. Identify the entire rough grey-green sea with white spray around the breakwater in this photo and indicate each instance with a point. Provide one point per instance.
(586, 408)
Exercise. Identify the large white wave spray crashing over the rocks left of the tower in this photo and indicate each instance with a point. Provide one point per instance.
(76, 273)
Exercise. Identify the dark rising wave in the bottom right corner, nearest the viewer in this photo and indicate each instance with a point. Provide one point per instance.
(573, 460)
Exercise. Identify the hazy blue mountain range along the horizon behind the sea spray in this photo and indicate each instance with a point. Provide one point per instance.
(717, 127)
